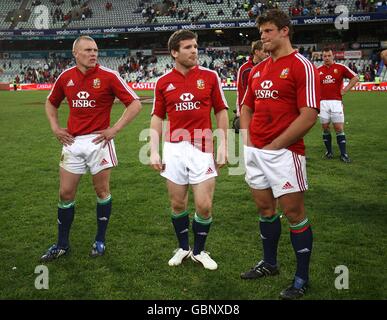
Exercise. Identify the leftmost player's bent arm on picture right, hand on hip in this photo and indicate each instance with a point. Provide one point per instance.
(131, 111)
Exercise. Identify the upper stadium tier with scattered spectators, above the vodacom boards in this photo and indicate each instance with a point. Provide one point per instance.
(96, 13)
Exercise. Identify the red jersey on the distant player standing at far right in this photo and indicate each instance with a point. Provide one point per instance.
(331, 79)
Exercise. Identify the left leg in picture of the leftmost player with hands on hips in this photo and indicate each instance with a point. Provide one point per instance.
(66, 210)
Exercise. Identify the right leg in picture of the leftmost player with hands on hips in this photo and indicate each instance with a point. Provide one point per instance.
(101, 183)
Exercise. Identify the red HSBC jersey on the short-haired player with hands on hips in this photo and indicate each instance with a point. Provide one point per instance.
(90, 97)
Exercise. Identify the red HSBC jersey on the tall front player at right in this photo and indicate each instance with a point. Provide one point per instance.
(276, 91)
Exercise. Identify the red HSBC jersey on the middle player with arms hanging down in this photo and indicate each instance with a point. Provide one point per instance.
(187, 101)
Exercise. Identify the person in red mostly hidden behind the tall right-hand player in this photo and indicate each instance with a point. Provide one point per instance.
(257, 55)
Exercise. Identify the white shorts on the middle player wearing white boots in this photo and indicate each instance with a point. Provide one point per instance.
(186, 164)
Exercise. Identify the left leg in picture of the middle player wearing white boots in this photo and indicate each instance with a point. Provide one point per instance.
(178, 196)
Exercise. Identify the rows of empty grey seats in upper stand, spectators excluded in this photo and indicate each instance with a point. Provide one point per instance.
(129, 13)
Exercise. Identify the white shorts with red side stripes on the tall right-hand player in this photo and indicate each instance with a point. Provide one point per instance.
(281, 170)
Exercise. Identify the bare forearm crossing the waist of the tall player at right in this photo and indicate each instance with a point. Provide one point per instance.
(296, 131)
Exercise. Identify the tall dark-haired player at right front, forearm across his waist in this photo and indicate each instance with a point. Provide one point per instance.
(279, 108)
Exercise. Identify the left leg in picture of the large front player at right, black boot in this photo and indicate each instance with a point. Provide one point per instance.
(270, 227)
